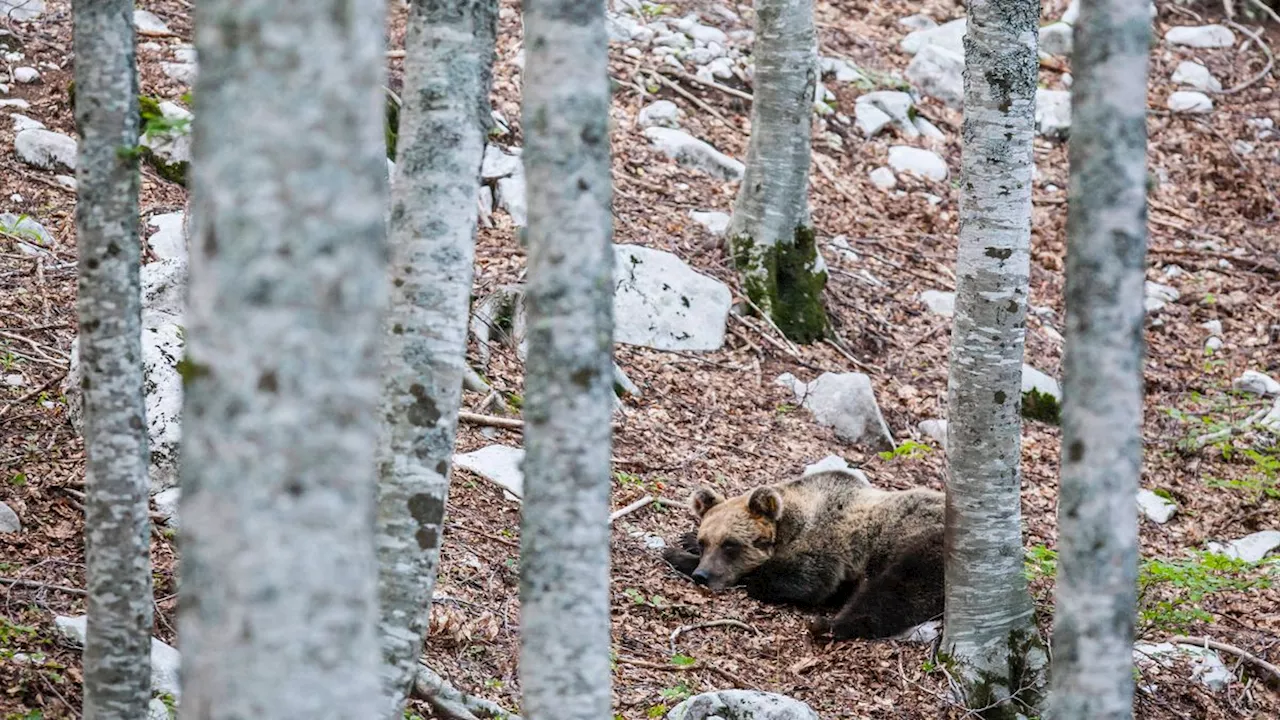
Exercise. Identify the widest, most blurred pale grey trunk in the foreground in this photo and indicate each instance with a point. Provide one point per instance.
(286, 308)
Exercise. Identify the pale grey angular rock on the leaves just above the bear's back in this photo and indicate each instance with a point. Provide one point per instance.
(845, 403)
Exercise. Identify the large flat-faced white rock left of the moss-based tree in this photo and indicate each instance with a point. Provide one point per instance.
(664, 304)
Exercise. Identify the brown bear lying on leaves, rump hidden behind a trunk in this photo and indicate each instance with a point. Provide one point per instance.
(825, 543)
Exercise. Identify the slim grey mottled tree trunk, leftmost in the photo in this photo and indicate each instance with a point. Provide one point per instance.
(117, 526)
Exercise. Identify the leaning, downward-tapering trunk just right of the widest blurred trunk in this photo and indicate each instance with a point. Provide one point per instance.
(450, 49)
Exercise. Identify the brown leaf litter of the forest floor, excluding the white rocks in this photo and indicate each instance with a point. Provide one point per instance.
(719, 418)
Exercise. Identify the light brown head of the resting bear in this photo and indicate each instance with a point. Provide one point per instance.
(737, 535)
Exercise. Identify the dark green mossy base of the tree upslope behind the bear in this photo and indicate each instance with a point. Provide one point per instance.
(785, 281)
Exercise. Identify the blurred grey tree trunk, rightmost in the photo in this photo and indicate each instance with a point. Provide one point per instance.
(1096, 591)
